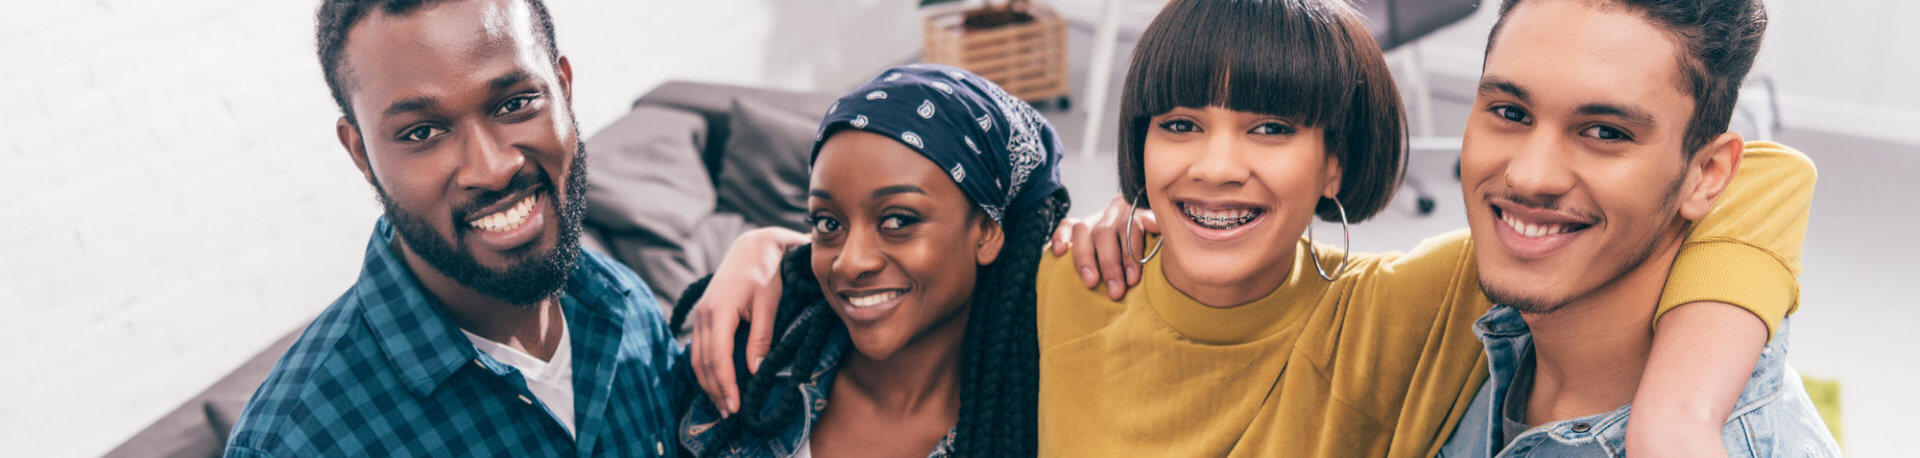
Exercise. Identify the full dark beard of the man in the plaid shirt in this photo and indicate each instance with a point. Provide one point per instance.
(535, 277)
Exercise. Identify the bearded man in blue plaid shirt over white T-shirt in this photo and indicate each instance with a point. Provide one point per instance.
(477, 327)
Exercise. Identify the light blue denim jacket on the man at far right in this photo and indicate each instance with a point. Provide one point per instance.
(1771, 419)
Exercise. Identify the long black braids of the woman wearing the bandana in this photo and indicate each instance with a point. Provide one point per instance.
(999, 365)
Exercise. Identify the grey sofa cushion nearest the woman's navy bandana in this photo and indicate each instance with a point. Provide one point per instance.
(763, 173)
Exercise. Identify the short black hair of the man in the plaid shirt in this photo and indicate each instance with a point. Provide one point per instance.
(335, 18)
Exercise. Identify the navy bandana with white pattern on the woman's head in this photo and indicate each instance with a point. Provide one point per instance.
(996, 147)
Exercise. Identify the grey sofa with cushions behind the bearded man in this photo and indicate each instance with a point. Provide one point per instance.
(673, 183)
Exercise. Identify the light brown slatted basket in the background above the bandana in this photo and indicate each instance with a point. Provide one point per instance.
(1030, 60)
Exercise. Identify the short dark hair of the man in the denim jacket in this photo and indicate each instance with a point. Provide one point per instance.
(1717, 45)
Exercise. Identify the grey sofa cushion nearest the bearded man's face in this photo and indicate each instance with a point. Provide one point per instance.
(648, 175)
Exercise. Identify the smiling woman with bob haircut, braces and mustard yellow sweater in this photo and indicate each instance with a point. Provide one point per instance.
(1241, 122)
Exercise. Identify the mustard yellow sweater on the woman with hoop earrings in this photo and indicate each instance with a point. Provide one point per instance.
(1378, 363)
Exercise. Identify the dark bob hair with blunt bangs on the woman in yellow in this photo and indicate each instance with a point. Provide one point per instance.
(1307, 60)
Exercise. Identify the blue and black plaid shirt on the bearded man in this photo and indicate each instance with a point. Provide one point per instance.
(381, 373)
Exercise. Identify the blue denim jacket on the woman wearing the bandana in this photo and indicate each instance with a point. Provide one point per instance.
(696, 428)
